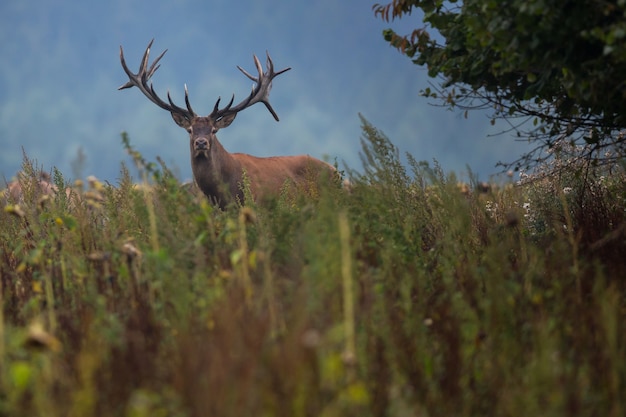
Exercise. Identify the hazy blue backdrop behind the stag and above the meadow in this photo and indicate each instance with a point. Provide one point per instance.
(60, 72)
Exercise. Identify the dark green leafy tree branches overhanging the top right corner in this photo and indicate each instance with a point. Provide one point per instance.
(558, 64)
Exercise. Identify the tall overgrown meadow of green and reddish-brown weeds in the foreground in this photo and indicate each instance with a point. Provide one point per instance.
(407, 295)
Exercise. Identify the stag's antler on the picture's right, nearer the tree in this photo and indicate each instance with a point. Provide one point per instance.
(260, 91)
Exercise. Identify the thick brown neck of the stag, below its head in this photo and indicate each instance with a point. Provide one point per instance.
(217, 173)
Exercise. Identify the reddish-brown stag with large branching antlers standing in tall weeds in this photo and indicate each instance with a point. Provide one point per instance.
(217, 173)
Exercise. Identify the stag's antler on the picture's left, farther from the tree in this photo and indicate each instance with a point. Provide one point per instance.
(140, 80)
